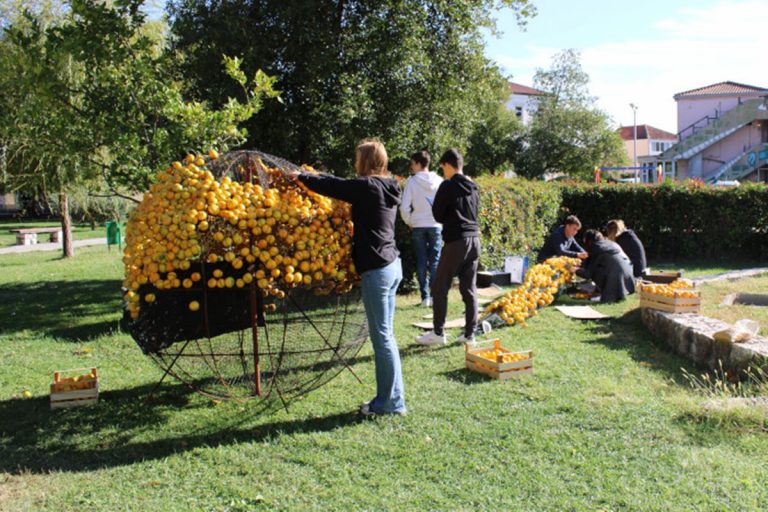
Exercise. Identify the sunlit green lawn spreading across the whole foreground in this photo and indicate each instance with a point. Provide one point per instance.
(606, 423)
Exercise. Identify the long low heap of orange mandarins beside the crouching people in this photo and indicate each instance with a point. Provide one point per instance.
(542, 283)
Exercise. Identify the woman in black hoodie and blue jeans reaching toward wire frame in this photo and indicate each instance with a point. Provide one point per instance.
(374, 196)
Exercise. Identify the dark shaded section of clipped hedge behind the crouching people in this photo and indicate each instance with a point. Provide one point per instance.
(682, 221)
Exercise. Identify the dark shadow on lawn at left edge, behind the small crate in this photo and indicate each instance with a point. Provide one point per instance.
(56, 308)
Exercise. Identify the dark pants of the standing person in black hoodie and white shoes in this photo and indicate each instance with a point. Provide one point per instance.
(458, 257)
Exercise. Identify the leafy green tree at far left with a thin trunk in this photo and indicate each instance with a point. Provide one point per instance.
(93, 100)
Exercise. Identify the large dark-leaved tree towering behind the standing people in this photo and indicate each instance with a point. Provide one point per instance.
(412, 73)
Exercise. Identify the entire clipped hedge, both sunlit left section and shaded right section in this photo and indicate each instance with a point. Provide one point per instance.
(674, 221)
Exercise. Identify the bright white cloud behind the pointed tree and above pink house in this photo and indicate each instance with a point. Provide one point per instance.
(689, 48)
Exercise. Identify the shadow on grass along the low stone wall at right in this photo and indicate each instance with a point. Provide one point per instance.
(628, 334)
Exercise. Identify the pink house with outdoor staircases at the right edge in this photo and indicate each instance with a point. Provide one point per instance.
(723, 134)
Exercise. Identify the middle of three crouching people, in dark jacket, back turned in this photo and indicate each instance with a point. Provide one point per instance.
(608, 267)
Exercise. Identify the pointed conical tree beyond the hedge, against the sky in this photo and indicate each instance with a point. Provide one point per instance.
(568, 134)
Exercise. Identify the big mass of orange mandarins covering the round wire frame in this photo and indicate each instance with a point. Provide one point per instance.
(192, 230)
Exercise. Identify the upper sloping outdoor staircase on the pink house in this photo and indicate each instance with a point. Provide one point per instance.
(717, 129)
